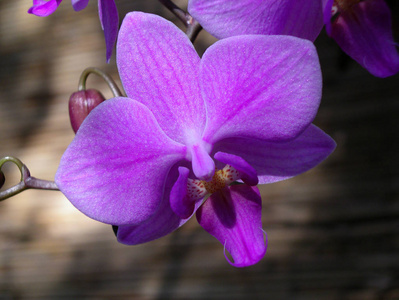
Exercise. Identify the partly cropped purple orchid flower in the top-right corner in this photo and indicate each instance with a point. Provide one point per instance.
(361, 28)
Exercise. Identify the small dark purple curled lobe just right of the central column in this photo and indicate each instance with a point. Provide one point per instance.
(247, 172)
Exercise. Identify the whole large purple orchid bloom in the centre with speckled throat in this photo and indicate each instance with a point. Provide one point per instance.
(190, 128)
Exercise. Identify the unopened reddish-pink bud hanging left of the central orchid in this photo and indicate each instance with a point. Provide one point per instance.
(81, 103)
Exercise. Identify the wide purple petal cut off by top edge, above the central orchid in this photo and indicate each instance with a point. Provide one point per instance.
(225, 18)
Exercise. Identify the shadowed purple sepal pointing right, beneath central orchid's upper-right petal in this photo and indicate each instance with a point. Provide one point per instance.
(278, 161)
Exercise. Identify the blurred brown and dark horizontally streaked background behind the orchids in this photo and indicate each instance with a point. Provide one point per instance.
(333, 231)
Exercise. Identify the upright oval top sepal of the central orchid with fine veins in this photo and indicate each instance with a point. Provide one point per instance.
(159, 66)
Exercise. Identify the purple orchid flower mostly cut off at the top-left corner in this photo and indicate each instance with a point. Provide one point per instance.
(107, 12)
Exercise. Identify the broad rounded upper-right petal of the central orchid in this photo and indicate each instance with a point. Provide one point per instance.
(265, 87)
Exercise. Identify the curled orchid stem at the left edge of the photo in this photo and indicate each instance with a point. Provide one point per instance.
(26, 182)
